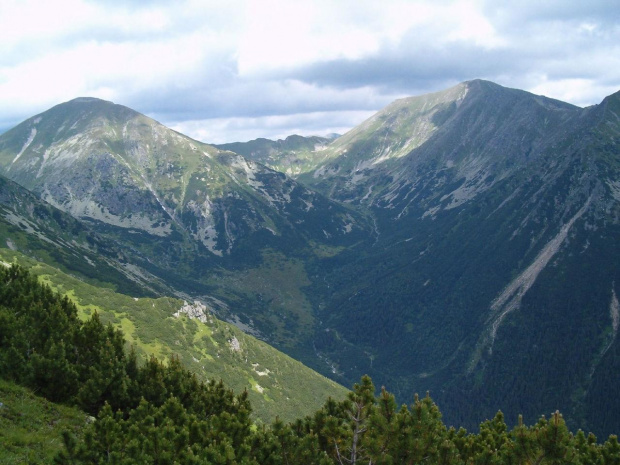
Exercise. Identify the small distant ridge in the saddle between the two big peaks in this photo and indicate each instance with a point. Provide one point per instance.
(292, 156)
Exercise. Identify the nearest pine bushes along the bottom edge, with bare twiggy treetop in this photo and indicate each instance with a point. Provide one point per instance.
(361, 429)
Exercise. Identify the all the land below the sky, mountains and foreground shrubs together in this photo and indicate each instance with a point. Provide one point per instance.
(163, 300)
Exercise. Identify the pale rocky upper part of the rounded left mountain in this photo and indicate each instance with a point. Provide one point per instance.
(141, 169)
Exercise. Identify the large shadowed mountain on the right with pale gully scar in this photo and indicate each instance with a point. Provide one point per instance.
(492, 275)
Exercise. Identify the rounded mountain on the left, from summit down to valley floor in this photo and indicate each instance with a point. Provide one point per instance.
(204, 221)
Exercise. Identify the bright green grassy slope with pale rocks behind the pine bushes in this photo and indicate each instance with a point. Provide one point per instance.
(213, 349)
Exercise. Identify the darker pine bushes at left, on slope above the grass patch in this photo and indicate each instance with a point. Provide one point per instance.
(45, 346)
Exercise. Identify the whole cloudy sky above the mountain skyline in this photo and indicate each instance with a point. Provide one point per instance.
(234, 70)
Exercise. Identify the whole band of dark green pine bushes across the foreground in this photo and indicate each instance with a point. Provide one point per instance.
(151, 412)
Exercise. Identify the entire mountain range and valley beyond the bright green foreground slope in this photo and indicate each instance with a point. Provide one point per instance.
(464, 242)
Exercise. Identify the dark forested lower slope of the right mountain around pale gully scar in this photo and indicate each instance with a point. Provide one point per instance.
(430, 293)
